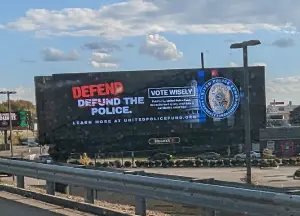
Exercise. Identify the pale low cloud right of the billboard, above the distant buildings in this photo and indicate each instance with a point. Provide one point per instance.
(283, 89)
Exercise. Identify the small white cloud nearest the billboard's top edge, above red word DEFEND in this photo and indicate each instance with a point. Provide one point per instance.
(103, 60)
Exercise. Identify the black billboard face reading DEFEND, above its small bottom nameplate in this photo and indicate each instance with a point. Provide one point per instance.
(111, 105)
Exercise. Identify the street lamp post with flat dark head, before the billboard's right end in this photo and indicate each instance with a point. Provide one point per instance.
(244, 45)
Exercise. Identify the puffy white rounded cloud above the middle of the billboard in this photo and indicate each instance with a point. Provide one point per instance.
(160, 48)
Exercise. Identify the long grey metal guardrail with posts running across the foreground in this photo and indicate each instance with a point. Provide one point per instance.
(209, 197)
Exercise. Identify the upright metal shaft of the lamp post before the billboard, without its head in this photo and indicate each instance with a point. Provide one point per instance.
(247, 115)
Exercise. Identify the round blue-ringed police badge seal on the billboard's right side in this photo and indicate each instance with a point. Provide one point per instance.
(219, 98)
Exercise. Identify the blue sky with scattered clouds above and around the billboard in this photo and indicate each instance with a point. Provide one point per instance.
(41, 38)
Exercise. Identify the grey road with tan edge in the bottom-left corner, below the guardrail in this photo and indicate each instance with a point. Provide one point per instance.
(15, 205)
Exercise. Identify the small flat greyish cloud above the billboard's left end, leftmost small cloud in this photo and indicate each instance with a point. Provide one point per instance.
(52, 54)
